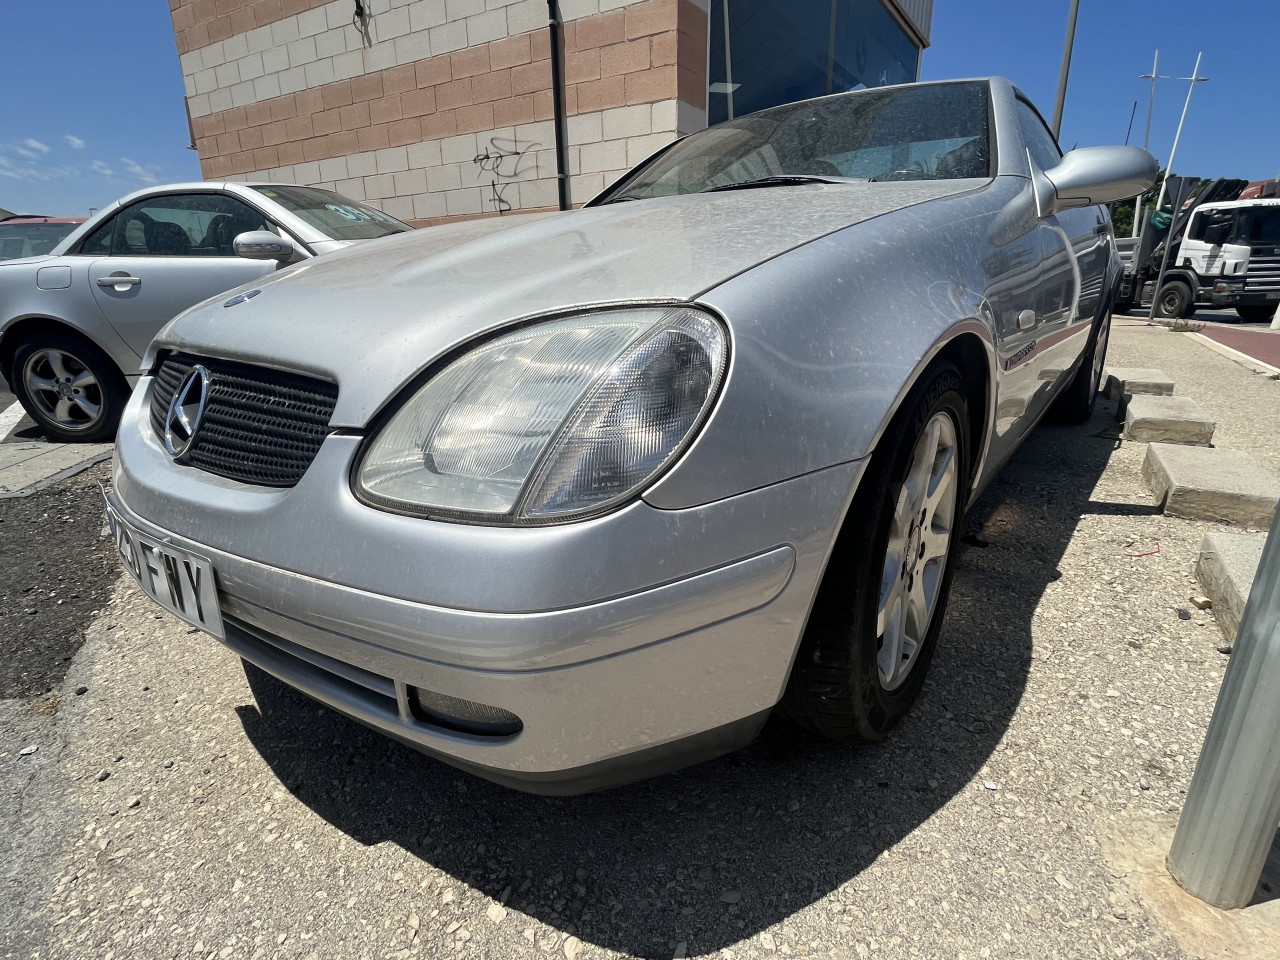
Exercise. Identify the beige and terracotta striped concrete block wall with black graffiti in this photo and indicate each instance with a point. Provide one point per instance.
(437, 109)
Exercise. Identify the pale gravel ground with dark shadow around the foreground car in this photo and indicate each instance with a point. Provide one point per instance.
(184, 808)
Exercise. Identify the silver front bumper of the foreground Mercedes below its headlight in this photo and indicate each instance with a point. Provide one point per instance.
(674, 657)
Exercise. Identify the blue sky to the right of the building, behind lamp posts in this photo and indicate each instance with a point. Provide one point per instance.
(1233, 125)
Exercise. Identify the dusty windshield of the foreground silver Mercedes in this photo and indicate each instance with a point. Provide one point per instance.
(926, 132)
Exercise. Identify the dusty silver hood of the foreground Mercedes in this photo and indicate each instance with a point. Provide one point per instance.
(374, 316)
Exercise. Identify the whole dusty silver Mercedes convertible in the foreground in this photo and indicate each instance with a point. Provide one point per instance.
(572, 500)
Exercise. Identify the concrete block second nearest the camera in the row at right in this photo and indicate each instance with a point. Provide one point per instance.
(1206, 483)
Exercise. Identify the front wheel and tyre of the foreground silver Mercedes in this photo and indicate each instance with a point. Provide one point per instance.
(871, 634)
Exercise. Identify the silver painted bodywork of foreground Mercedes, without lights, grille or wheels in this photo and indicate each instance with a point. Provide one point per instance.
(664, 630)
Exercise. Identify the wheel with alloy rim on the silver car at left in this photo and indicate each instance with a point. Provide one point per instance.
(70, 387)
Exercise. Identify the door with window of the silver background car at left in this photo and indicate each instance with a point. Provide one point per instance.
(166, 254)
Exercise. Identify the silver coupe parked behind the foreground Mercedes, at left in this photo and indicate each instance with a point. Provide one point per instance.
(76, 322)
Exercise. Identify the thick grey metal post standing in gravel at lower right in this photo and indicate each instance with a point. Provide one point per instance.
(1233, 804)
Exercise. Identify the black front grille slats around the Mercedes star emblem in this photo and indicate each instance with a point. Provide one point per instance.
(260, 426)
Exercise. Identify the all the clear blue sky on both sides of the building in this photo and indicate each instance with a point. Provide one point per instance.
(93, 103)
